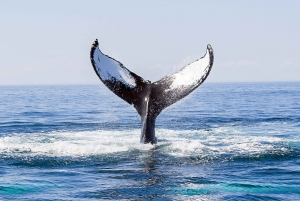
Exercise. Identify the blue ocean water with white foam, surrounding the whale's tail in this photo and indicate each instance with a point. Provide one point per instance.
(238, 141)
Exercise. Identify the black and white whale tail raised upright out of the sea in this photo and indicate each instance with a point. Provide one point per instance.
(149, 98)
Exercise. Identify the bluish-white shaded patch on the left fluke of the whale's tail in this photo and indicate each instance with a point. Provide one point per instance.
(110, 69)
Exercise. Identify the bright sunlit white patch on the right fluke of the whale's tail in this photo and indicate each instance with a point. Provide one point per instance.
(192, 73)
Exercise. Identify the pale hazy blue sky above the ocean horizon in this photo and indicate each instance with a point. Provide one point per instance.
(48, 42)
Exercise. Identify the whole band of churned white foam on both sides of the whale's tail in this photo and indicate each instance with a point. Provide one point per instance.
(200, 143)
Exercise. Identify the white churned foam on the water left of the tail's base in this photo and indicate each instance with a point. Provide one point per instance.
(71, 143)
